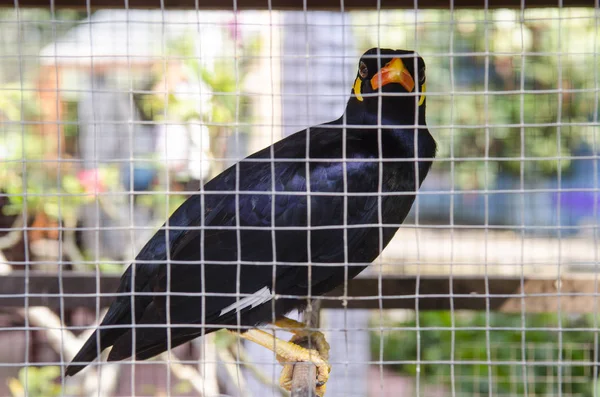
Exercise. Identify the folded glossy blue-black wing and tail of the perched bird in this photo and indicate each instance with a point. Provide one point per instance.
(238, 225)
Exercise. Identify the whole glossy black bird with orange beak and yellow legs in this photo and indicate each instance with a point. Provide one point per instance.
(252, 233)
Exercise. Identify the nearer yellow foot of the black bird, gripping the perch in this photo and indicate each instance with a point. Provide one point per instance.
(296, 353)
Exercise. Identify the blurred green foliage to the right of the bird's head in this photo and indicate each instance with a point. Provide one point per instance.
(503, 90)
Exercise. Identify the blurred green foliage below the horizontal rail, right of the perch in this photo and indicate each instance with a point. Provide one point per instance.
(470, 347)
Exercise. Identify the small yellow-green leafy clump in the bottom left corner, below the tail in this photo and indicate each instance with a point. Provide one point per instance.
(36, 382)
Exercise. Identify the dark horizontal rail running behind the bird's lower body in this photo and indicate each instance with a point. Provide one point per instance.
(398, 292)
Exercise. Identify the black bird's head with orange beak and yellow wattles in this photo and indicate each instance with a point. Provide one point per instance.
(395, 76)
